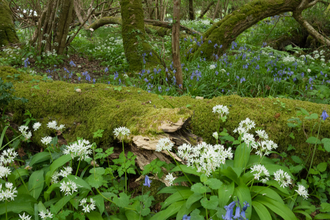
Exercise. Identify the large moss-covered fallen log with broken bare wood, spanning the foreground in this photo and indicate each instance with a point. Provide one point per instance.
(100, 106)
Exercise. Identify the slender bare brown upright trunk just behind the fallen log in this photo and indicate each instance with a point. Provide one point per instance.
(176, 43)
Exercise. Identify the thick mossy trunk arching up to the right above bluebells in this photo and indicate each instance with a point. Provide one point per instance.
(224, 32)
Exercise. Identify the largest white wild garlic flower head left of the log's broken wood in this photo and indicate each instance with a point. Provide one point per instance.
(81, 149)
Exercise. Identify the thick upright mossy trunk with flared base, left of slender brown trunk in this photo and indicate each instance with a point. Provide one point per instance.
(138, 52)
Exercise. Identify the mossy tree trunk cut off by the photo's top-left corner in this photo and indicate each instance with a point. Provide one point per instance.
(7, 28)
